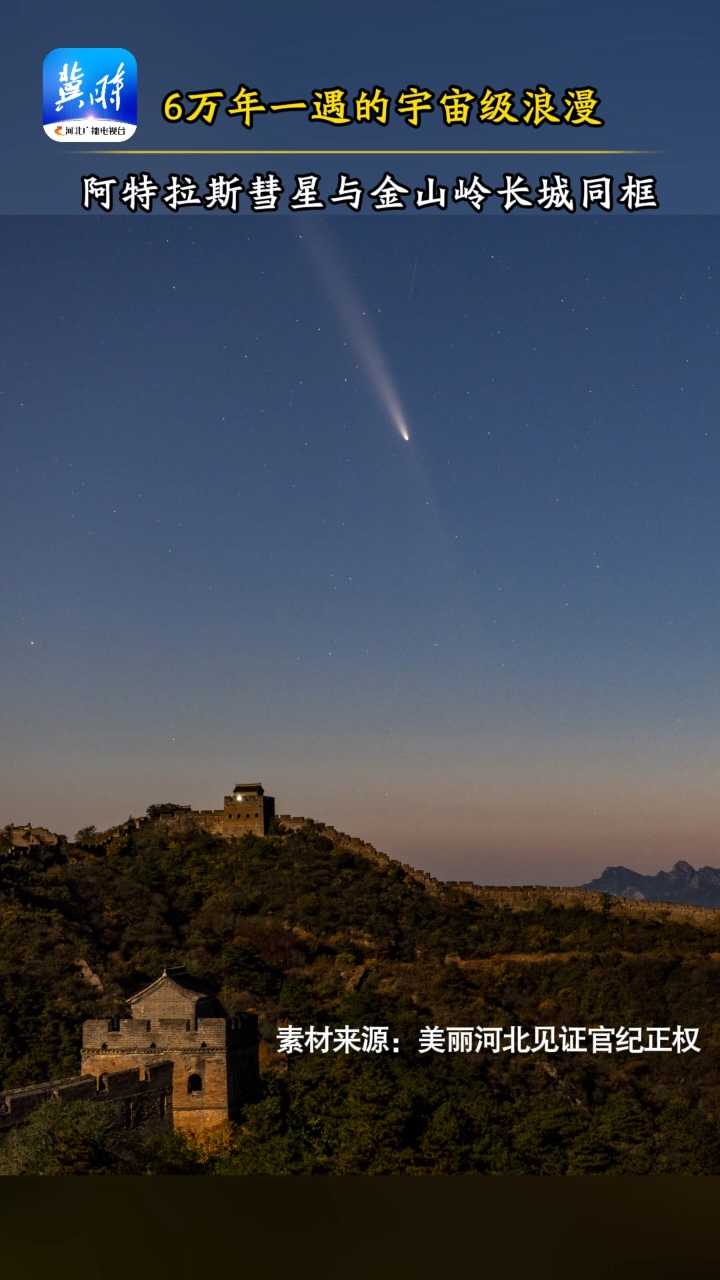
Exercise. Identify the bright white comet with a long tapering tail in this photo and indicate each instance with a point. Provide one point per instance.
(357, 323)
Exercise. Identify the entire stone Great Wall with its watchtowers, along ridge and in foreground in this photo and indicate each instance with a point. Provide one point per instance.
(179, 1060)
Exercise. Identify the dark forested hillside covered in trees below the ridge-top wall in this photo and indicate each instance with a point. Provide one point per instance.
(302, 931)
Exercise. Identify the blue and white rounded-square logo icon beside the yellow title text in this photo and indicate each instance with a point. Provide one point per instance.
(90, 95)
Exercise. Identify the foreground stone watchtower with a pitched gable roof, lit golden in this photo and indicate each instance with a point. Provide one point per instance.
(175, 1020)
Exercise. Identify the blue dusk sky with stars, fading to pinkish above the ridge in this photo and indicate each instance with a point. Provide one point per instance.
(491, 650)
